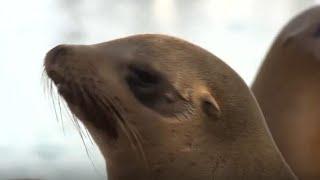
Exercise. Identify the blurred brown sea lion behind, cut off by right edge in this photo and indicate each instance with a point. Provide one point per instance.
(287, 89)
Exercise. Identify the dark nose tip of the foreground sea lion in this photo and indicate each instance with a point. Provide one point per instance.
(56, 54)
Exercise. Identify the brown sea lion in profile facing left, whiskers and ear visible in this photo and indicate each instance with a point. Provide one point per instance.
(161, 108)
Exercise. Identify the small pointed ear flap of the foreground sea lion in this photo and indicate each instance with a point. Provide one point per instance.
(210, 106)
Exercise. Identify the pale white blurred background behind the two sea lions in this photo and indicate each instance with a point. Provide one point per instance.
(32, 143)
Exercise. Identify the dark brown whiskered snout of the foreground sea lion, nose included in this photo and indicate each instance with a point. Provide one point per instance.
(76, 79)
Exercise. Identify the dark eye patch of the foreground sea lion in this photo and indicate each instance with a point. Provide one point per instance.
(153, 90)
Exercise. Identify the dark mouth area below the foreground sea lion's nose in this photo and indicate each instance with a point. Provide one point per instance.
(84, 96)
